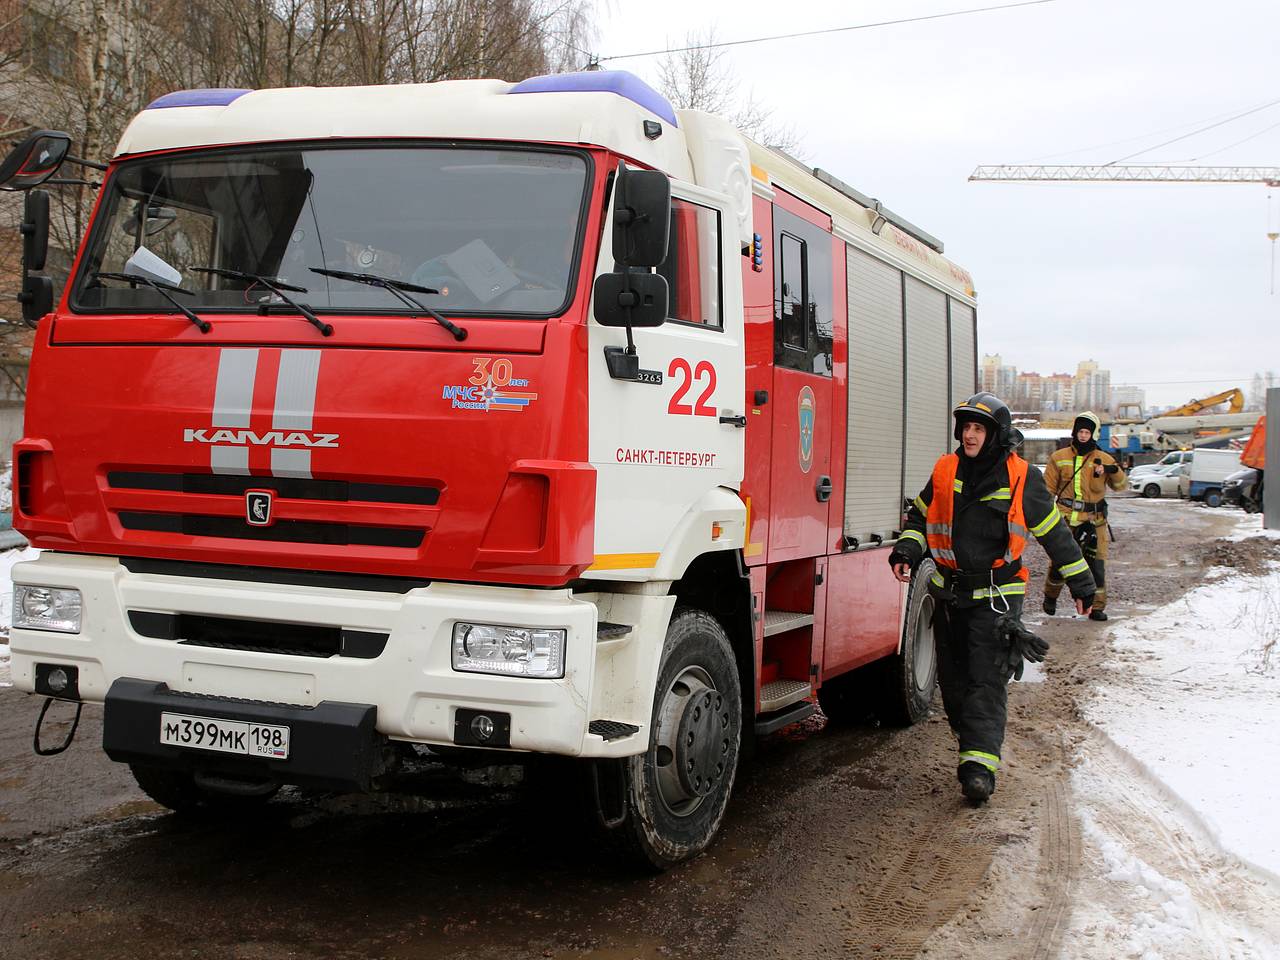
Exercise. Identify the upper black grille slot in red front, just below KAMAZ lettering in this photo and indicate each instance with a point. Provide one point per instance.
(286, 488)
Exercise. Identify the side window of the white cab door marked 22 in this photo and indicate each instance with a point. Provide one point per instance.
(693, 266)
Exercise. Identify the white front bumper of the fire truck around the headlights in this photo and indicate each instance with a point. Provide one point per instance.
(412, 683)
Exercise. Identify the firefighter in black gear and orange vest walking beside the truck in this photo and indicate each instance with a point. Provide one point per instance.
(973, 519)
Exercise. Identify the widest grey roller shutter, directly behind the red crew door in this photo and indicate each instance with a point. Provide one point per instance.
(874, 482)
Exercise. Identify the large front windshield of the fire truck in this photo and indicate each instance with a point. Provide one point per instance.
(496, 231)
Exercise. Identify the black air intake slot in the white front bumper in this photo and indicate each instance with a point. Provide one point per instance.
(260, 637)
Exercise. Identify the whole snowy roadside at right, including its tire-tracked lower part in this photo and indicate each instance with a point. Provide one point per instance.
(1177, 787)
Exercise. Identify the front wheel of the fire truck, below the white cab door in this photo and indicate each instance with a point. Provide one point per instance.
(675, 794)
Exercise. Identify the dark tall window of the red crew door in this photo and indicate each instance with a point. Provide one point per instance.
(803, 295)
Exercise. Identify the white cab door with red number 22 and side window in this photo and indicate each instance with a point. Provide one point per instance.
(664, 444)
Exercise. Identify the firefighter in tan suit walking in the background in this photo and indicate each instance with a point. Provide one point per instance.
(1078, 476)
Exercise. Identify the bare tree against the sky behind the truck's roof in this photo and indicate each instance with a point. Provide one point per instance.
(698, 79)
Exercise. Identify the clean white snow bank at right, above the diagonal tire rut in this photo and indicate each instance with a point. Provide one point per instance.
(1197, 705)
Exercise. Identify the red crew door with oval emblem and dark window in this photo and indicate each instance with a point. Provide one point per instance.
(802, 482)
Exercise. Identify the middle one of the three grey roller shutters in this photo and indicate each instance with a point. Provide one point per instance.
(929, 408)
